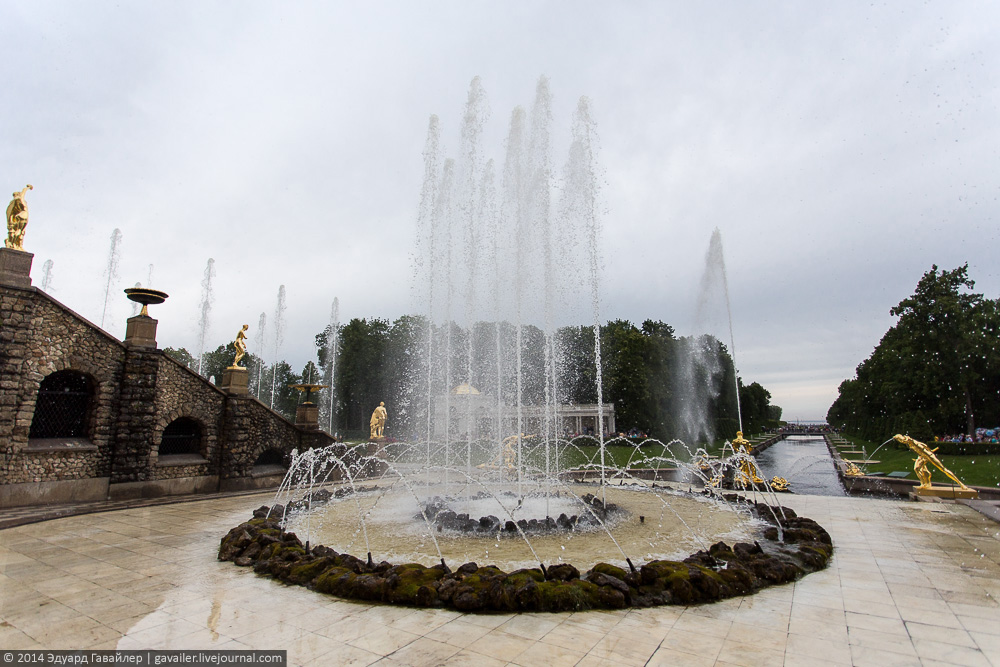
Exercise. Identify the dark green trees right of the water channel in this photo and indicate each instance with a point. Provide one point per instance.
(935, 372)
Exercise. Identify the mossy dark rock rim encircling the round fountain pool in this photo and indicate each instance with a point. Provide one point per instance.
(783, 551)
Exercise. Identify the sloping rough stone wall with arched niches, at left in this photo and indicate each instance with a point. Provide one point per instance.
(137, 393)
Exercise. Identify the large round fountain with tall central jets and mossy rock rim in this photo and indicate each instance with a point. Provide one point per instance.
(556, 522)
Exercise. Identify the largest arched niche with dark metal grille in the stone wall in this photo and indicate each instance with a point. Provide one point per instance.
(62, 406)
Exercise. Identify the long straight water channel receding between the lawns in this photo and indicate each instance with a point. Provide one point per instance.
(805, 461)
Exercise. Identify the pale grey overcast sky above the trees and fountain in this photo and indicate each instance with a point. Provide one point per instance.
(841, 148)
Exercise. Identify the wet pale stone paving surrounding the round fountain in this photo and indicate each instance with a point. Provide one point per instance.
(909, 584)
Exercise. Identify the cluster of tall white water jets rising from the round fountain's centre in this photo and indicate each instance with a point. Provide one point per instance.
(491, 277)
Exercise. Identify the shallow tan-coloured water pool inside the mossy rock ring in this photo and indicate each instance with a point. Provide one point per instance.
(650, 524)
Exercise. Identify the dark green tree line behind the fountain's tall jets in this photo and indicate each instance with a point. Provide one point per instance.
(655, 379)
